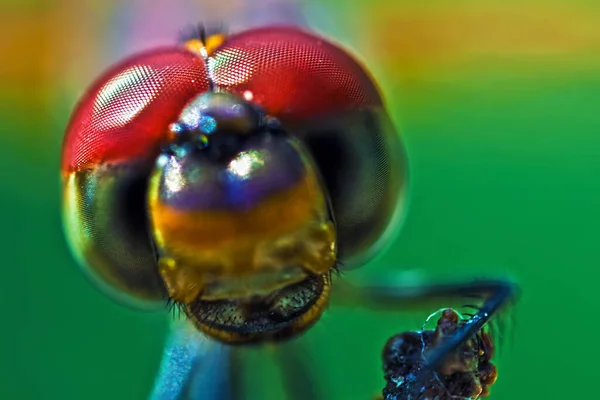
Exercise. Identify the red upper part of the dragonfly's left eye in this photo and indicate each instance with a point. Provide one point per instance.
(125, 115)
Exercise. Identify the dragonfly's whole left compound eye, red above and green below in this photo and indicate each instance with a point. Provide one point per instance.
(114, 136)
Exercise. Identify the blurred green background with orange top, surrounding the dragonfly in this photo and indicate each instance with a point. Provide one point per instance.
(498, 102)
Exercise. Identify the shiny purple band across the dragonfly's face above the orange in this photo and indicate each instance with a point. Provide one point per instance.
(261, 169)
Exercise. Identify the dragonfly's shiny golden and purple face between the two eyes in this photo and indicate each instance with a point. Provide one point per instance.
(242, 227)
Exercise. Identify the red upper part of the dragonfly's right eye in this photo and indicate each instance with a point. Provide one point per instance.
(291, 73)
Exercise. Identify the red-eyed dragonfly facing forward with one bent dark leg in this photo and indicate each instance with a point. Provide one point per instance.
(233, 175)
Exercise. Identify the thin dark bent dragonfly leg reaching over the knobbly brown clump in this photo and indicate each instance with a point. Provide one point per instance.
(390, 292)
